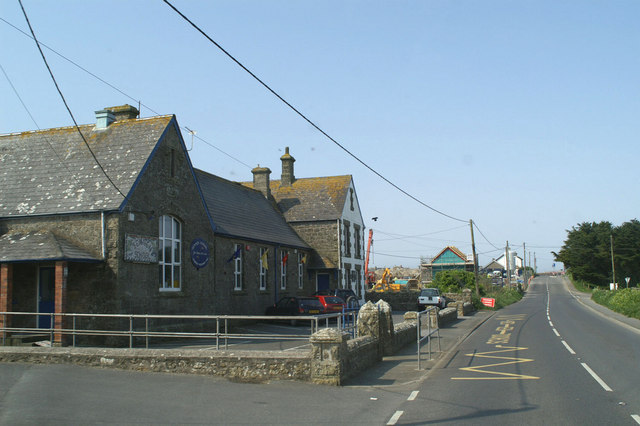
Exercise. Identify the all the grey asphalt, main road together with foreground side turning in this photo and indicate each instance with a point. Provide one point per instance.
(543, 361)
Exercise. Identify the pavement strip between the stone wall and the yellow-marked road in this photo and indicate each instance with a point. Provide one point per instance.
(401, 369)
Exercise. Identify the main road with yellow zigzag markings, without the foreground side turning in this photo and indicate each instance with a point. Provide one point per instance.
(546, 360)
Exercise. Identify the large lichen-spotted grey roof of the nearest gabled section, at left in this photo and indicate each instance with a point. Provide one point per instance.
(52, 171)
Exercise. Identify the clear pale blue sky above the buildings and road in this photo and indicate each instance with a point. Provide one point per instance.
(523, 116)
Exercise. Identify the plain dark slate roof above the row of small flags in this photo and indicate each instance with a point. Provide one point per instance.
(238, 211)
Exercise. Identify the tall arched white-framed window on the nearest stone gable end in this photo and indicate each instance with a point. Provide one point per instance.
(173, 242)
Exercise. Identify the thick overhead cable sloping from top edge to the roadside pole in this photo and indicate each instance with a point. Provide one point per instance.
(304, 117)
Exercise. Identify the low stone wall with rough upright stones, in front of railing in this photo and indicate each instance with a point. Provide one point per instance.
(334, 356)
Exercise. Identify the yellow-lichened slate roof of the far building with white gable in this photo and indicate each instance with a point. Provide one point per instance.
(312, 199)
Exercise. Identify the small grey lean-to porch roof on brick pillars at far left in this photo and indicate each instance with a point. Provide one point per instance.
(41, 246)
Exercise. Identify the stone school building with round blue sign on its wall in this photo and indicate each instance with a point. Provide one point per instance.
(117, 220)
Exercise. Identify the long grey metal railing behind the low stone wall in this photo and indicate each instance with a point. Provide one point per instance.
(139, 326)
